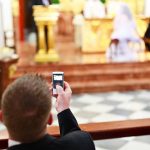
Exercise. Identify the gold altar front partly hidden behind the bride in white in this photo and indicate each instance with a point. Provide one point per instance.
(99, 31)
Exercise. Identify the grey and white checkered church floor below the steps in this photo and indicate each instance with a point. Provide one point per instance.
(111, 107)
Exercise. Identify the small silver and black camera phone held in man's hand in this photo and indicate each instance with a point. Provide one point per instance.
(57, 79)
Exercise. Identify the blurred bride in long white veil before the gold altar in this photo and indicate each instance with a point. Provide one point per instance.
(125, 41)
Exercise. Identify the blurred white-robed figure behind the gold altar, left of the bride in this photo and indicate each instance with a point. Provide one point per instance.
(94, 9)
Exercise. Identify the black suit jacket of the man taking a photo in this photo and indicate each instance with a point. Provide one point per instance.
(72, 138)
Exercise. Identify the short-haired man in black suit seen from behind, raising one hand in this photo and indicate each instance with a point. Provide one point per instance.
(26, 106)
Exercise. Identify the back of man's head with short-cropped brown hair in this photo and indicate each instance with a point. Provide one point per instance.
(26, 105)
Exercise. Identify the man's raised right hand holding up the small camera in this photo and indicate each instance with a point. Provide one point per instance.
(63, 98)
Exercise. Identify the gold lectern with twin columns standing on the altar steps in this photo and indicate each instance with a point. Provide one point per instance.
(46, 17)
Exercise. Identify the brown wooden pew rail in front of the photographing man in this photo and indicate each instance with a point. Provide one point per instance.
(101, 130)
